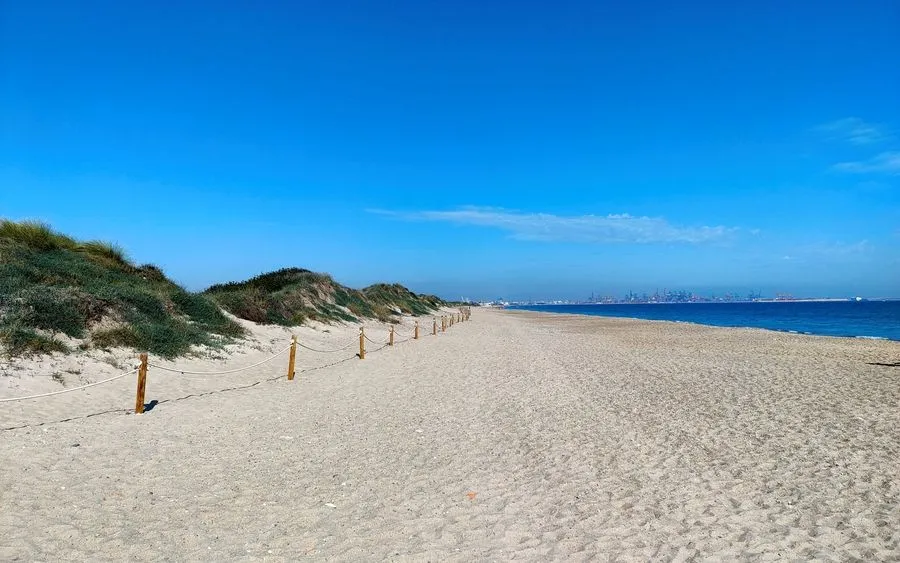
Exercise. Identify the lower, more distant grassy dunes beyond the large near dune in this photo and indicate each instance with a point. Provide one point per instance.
(292, 296)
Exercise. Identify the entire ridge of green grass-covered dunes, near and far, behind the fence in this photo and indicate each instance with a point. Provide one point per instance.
(53, 285)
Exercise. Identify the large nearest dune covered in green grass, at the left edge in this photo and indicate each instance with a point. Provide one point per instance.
(51, 284)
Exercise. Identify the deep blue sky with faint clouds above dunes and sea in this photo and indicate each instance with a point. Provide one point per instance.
(486, 149)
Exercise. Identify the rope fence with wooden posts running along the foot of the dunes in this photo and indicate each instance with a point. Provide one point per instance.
(447, 321)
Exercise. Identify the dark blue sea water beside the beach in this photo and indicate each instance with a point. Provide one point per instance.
(861, 319)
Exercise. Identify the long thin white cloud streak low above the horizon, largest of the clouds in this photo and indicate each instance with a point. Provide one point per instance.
(614, 228)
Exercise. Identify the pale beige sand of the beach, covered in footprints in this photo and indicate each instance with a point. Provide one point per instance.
(512, 436)
